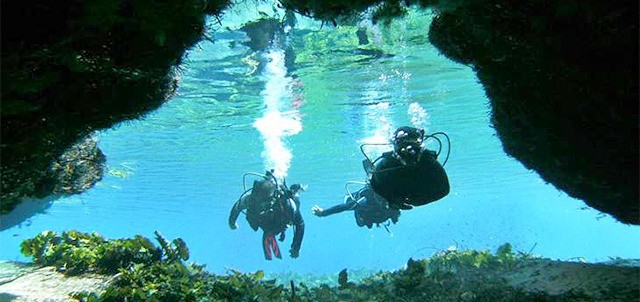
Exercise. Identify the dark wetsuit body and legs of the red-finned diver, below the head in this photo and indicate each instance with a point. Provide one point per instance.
(273, 217)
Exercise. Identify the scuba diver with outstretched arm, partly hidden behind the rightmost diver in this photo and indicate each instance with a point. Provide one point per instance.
(368, 208)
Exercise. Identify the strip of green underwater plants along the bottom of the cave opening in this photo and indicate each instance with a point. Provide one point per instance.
(147, 272)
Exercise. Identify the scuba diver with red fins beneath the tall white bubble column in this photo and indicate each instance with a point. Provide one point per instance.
(272, 207)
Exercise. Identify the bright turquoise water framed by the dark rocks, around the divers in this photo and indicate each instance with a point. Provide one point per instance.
(179, 170)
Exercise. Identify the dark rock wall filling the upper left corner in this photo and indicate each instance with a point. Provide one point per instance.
(72, 67)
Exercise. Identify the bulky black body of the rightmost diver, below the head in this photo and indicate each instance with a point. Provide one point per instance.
(418, 184)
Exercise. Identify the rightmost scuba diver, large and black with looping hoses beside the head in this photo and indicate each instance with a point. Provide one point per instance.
(410, 175)
